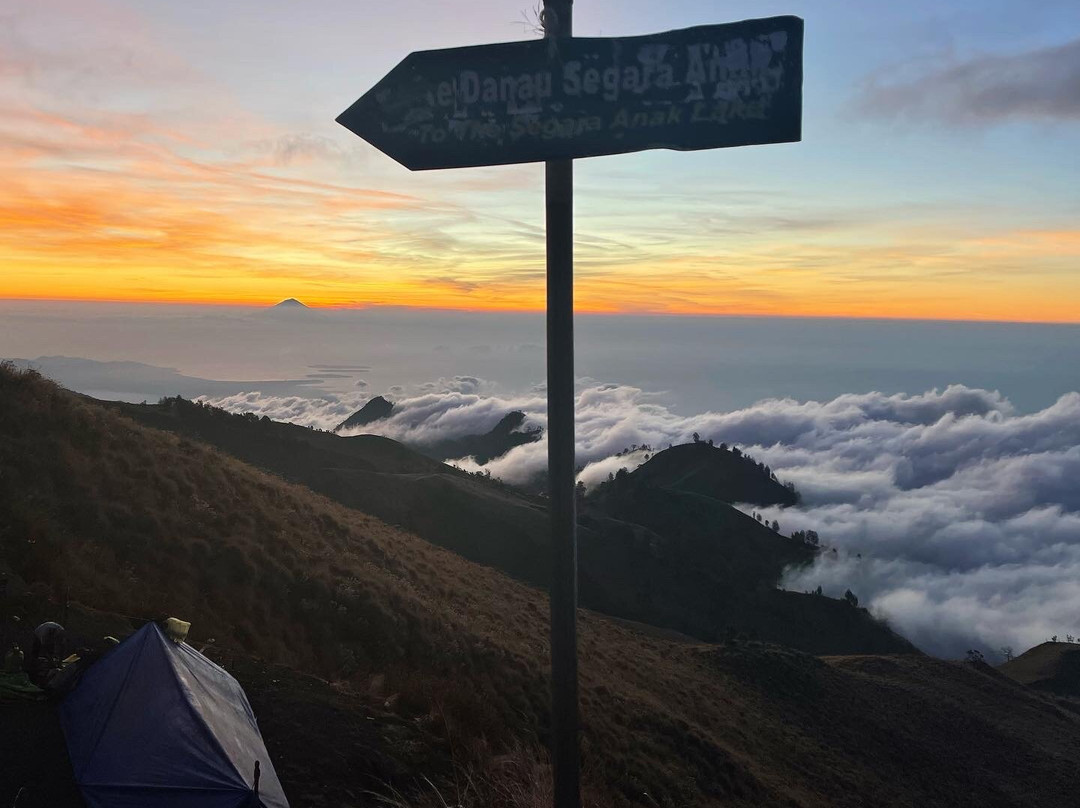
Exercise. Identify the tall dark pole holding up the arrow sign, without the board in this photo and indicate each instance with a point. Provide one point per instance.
(559, 25)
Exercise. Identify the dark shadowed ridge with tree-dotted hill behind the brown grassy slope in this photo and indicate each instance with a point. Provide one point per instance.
(686, 562)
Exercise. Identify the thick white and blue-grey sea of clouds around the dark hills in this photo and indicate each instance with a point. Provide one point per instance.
(952, 516)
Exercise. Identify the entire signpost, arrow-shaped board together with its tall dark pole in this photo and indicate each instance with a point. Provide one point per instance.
(555, 101)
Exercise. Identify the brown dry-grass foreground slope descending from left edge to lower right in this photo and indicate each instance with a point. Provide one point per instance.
(142, 522)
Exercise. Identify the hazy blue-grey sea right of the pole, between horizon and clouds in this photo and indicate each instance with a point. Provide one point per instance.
(728, 363)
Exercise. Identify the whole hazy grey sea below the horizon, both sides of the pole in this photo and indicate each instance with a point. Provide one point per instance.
(698, 363)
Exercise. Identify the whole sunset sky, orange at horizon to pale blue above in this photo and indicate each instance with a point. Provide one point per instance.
(187, 152)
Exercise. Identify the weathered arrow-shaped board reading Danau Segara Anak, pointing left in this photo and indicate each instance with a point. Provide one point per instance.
(704, 88)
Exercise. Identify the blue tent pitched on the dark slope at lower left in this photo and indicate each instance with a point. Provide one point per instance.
(155, 724)
